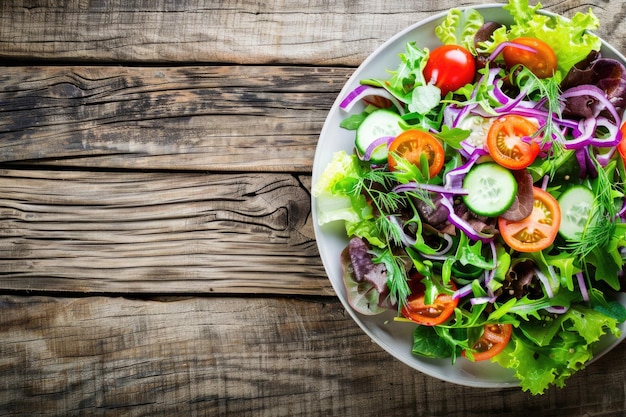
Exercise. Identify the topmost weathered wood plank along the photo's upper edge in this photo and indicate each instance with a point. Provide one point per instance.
(246, 32)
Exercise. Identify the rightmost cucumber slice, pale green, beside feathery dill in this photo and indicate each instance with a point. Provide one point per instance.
(576, 203)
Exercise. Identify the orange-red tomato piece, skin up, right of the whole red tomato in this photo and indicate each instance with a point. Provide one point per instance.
(542, 62)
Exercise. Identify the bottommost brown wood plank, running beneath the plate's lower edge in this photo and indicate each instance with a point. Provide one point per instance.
(222, 356)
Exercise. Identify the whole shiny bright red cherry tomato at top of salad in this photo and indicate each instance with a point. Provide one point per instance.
(450, 67)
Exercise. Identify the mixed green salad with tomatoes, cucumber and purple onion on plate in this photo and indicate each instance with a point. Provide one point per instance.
(484, 200)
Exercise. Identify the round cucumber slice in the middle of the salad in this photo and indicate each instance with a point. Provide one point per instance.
(491, 189)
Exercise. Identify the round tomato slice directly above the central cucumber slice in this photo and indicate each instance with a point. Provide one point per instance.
(505, 144)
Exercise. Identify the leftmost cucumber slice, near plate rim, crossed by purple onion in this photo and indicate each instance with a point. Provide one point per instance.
(379, 123)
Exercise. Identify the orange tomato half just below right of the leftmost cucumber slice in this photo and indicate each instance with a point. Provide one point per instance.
(411, 144)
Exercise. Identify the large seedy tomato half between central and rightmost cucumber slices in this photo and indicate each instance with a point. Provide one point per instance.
(537, 231)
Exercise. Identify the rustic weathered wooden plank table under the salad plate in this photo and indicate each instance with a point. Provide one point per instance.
(157, 254)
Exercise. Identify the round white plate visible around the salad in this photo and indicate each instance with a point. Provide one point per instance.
(396, 338)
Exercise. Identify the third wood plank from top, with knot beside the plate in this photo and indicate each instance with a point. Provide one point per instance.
(158, 233)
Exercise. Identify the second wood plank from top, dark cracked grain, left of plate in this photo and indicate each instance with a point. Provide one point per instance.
(227, 118)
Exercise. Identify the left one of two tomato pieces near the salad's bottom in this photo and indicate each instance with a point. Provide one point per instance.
(428, 314)
